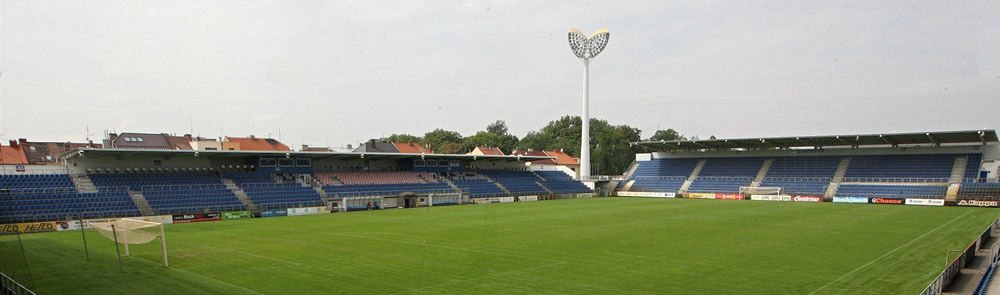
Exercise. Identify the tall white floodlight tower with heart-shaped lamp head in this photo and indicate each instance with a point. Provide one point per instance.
(586, 48)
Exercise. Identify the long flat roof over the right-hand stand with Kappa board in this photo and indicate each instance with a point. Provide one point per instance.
(858, 140)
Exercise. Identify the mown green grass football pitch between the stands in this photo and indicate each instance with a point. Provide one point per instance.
(600, 245)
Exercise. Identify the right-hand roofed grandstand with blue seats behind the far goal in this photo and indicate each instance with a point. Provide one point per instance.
(935, 165)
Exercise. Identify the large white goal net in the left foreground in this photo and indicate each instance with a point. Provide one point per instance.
(132, 232)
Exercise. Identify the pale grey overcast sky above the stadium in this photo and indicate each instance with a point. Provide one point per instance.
(331, 73)
